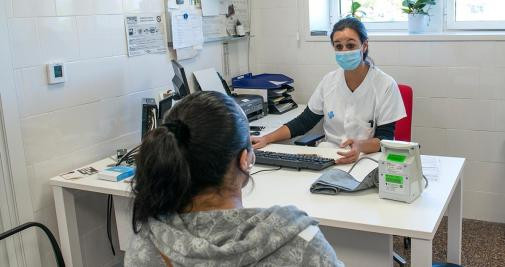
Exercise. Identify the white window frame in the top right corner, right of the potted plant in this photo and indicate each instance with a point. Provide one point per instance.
(452, 24)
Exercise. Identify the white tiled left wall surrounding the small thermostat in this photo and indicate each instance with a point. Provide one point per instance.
(97, 110)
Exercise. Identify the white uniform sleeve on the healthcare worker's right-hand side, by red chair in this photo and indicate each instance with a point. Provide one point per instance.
(391, 107)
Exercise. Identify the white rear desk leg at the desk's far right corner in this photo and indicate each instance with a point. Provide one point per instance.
(455, 225)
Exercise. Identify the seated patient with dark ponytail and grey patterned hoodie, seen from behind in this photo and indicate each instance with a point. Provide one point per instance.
(187, 208)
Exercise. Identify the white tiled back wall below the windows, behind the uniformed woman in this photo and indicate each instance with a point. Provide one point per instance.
(459, 90)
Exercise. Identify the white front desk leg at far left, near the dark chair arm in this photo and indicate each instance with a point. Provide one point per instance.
(67, 226)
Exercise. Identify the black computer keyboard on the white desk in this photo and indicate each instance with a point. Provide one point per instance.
(298, 161)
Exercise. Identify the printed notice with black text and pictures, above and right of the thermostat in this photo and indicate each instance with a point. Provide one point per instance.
(145, 35)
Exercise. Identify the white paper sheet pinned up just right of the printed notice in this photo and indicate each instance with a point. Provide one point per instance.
(187, 28)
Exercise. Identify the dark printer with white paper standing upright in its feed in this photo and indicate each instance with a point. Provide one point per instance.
(211, 80)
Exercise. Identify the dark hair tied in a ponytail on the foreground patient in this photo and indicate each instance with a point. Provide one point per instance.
(201, 136)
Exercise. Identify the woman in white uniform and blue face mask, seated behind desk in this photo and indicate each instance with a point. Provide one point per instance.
(359, 103)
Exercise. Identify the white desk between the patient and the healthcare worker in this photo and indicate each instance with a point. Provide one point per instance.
(359, 225)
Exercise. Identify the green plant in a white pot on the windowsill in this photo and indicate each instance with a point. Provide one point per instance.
(417, 11)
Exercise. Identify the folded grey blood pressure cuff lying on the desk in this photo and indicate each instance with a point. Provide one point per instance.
(335, 180)
